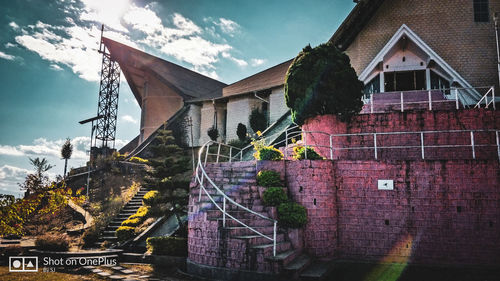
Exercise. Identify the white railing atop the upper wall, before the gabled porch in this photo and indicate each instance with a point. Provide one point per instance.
(460, 96)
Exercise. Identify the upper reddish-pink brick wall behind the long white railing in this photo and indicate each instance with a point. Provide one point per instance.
(472, 119)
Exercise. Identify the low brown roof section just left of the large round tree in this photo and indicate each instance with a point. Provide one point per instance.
(269, 78)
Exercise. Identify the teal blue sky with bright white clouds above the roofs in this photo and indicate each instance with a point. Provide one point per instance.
(49, 65)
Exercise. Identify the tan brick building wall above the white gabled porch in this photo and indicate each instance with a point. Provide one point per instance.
(448, 27)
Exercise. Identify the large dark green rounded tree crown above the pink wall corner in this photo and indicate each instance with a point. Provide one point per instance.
(322, 81)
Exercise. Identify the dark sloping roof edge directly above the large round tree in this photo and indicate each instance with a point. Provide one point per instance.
(354, 23)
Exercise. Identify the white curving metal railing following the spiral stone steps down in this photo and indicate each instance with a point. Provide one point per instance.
(201, 174)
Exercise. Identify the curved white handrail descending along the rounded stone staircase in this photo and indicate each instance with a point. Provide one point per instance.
(225, 198)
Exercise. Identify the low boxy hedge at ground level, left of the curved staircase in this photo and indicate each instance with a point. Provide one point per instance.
(171, 246)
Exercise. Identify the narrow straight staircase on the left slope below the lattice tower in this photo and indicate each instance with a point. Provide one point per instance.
(109, 233)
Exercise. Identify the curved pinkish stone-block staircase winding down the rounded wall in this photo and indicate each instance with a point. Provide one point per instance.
(234, 245)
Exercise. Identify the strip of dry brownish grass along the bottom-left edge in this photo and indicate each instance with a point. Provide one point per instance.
(46, 276)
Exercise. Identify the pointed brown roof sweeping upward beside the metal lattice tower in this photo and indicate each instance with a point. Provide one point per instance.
(135, 63)
